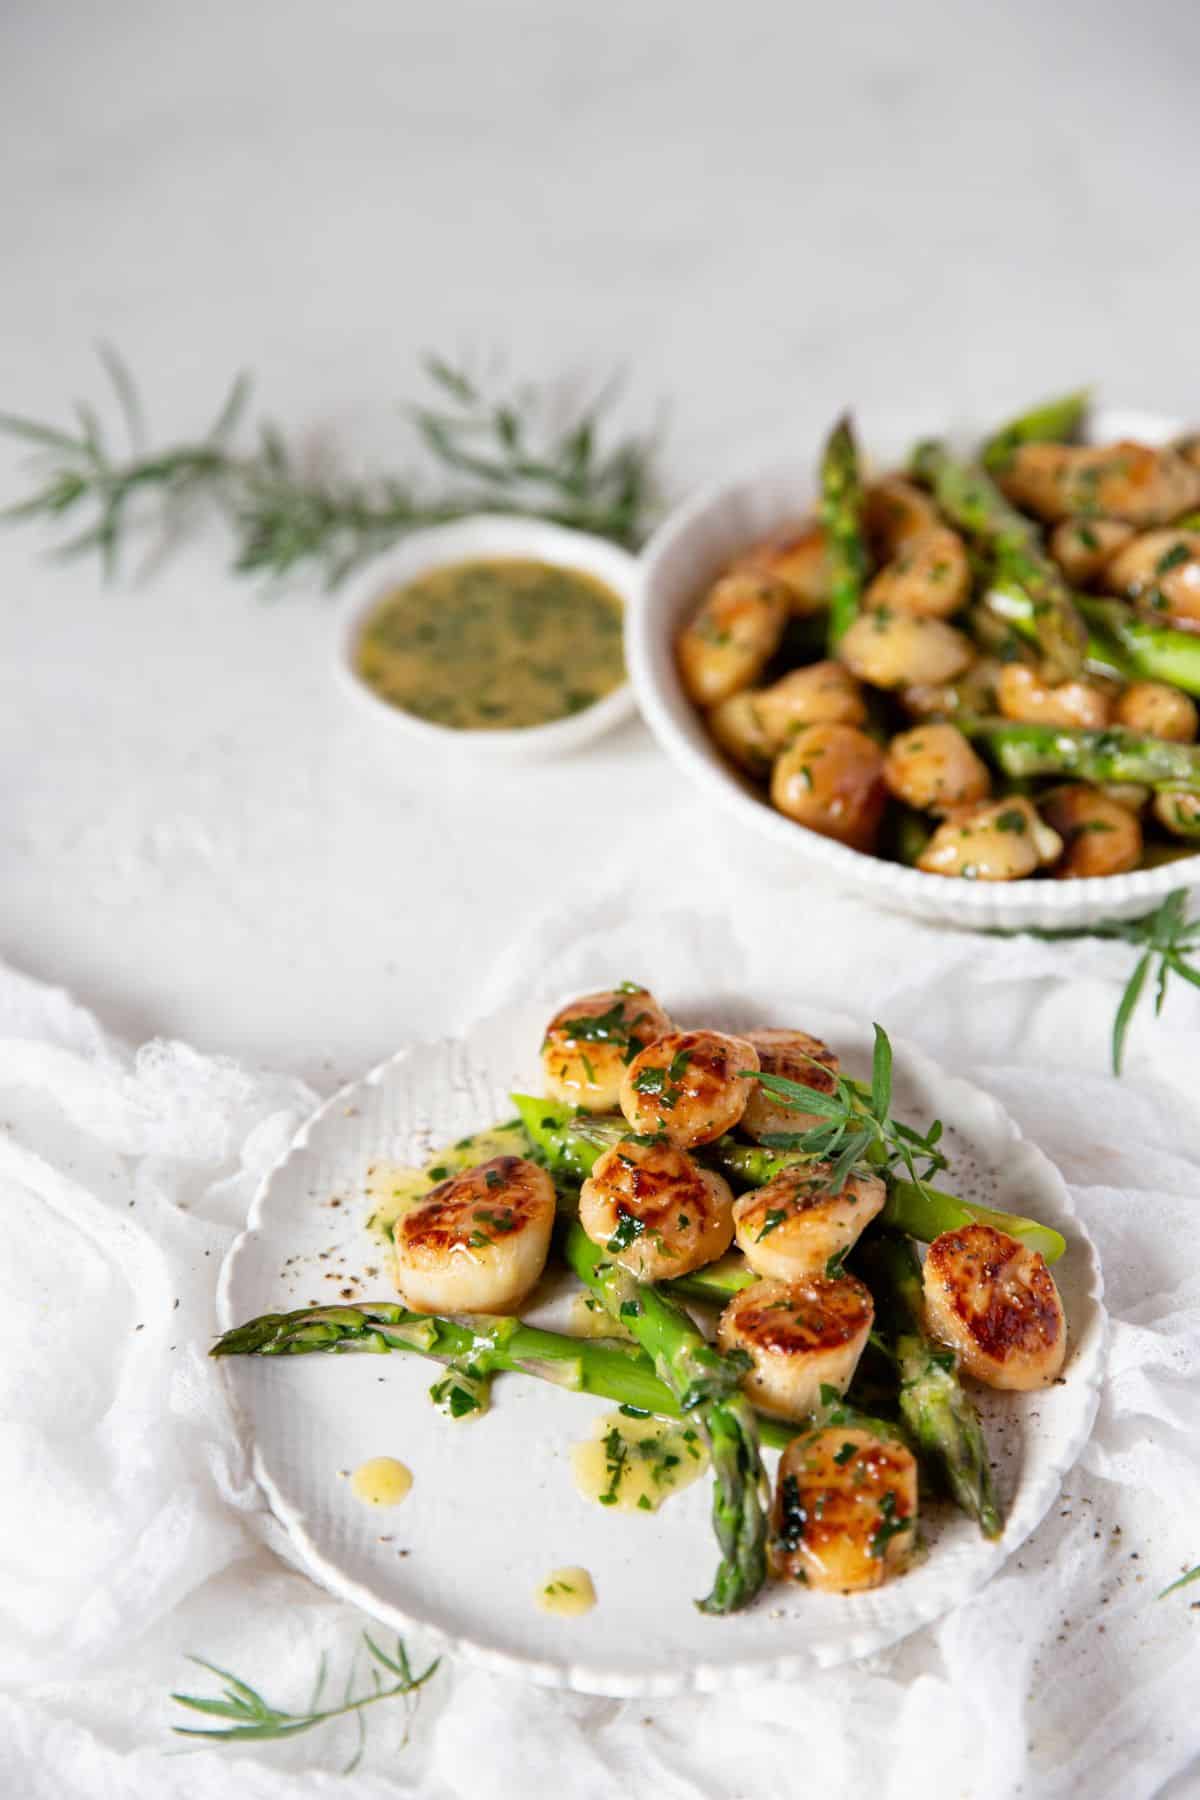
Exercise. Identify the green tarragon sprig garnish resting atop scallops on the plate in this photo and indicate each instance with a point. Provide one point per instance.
(857, 1124)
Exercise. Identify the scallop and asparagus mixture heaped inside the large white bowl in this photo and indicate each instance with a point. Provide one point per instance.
(978, 667)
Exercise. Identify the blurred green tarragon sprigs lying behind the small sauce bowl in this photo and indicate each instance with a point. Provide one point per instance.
(291, 514)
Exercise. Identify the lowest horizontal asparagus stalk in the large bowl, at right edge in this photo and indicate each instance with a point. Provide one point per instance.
(1111, 755)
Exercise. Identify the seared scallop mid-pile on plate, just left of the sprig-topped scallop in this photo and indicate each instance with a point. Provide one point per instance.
(656, 1210)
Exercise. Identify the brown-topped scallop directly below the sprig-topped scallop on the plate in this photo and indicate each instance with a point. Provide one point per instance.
(801, 1336)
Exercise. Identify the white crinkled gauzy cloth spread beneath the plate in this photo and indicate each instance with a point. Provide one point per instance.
(132, 1536)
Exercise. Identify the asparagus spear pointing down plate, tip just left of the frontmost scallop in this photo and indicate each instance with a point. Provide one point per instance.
(708, 1389)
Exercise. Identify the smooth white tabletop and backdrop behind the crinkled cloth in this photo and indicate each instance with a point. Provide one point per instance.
(758, 213)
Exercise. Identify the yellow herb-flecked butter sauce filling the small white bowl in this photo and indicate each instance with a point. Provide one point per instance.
(494, 645)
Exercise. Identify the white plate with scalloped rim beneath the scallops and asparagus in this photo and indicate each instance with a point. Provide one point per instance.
(494, 1509)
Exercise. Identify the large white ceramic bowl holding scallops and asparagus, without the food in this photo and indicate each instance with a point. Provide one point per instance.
(688, 552)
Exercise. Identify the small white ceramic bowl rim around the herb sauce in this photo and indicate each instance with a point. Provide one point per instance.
(467, 541)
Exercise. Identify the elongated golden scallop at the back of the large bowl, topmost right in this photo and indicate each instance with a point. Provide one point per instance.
(1127, 481)
